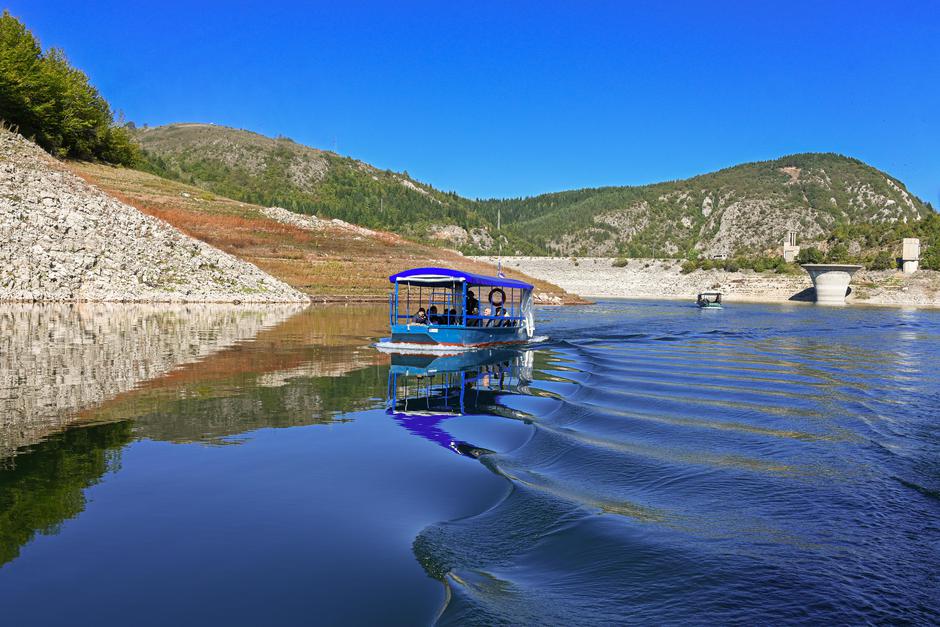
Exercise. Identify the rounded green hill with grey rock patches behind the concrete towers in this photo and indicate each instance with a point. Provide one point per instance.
(743, 209)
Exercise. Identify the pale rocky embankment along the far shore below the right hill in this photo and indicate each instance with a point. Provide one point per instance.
(596, 277)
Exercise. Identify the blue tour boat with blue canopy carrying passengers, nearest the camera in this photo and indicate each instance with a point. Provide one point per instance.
(439, 308)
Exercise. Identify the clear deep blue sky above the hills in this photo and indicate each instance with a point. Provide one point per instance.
(494, 99)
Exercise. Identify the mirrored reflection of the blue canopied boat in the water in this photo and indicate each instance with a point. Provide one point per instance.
(424, 391)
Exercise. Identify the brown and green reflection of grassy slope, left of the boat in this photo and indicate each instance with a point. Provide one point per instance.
(303, 371)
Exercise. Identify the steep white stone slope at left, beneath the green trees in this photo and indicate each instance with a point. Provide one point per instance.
(62, 239)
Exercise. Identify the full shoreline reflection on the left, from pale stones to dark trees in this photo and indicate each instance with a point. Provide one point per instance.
(305, 370)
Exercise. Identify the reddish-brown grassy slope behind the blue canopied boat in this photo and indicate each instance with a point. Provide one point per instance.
(330, 264)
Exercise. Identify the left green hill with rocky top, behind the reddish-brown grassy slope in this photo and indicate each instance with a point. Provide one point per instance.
(280, 172)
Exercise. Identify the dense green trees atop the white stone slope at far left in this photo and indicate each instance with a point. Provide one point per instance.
(48, 100)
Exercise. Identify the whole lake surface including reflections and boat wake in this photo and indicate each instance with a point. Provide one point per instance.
(649, 463)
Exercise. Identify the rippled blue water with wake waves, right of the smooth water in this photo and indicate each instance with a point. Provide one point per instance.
(768, 464)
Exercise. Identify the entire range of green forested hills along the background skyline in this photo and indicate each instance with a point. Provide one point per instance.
(746, 209)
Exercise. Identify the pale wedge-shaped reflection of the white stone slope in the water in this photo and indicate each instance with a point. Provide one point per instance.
(57, 360)
